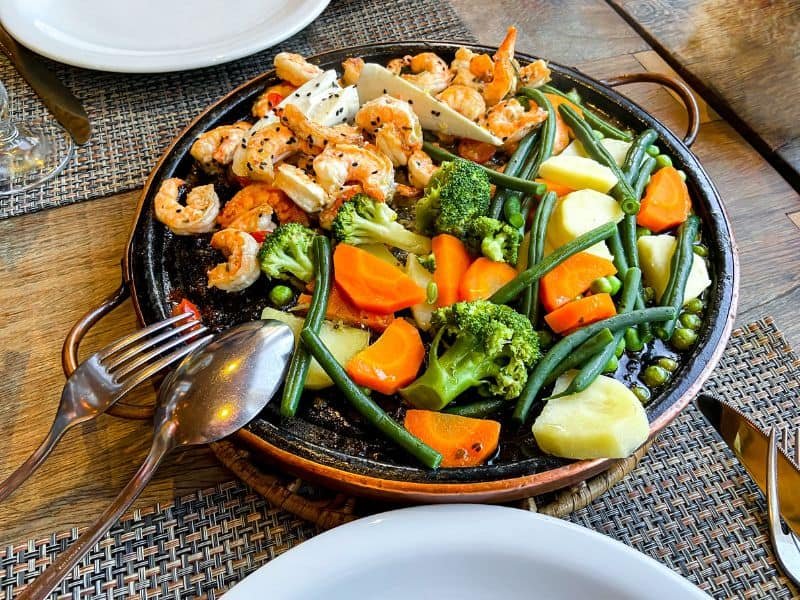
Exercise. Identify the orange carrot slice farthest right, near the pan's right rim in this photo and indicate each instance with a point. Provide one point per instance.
(666, 203)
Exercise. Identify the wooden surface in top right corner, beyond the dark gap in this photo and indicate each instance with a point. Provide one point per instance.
(744, 56)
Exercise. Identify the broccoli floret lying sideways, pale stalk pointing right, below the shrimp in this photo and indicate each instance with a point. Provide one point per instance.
(362, 220)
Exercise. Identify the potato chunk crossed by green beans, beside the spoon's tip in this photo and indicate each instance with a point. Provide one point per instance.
(344, 342)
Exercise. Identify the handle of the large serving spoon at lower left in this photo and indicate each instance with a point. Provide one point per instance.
(41, 587)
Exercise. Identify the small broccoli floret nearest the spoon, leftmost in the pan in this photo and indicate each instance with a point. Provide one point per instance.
(286, 253)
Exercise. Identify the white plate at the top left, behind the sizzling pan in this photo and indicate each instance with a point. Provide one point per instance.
(154, 36)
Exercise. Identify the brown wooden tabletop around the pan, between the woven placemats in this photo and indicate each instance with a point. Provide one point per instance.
(56, 264)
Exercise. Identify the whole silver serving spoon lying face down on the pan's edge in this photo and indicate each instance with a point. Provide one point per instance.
(212, 393)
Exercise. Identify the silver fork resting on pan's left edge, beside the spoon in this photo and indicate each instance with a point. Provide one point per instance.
(109, 374)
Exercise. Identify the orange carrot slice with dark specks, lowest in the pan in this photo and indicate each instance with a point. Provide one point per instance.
(462, 441)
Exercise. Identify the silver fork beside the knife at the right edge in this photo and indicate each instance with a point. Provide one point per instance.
(786, 543)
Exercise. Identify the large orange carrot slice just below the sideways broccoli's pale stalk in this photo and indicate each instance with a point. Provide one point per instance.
(371, 283)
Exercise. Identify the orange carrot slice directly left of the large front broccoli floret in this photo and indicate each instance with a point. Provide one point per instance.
(390, 363)
